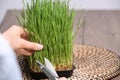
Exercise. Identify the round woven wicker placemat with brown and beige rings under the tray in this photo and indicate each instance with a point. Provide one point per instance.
(92, 63)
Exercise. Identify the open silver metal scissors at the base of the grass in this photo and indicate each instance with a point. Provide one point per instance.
(49, 70)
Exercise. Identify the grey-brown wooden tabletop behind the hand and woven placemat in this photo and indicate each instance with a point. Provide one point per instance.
(102, 28)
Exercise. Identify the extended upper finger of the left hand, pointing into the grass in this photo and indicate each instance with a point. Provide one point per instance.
(30, 45)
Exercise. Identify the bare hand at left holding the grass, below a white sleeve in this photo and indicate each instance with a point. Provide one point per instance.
(18, 39)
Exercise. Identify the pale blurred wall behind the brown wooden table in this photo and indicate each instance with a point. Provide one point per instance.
(77, 4)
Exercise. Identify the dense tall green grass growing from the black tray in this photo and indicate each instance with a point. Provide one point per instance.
(50, 22)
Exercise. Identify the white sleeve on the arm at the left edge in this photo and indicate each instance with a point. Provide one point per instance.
(9, 68)
